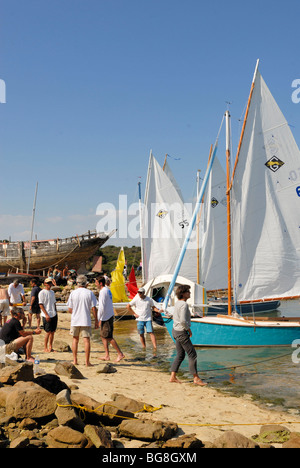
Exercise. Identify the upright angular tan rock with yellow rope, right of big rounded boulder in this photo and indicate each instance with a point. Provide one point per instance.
(66, 415)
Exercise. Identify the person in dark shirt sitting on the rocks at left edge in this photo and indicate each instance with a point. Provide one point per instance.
(15, 337)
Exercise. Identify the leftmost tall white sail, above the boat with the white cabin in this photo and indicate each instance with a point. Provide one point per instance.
(166, 219)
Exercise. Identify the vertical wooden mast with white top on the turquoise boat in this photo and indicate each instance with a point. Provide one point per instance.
(227, 117)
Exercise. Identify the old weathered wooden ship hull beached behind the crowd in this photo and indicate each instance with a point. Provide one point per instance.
(43, 254)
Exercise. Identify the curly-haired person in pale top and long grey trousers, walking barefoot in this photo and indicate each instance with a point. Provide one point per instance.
(182, 333)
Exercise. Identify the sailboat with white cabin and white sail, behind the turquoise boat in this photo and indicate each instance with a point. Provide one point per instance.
(165, 222)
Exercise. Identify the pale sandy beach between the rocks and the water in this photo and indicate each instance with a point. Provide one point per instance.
(202, 411)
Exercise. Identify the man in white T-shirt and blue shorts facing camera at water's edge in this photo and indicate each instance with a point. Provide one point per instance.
(144, 306)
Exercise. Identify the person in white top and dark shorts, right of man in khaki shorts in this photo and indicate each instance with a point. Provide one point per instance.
(106, 320)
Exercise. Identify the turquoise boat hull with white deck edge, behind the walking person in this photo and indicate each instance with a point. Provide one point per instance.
(226, 332)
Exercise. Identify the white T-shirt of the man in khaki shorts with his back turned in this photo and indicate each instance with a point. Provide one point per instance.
(81, 301)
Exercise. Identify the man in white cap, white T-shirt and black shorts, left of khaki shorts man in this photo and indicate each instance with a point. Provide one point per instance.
(47, 304)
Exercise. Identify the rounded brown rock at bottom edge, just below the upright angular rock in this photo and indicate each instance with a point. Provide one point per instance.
(65, 437)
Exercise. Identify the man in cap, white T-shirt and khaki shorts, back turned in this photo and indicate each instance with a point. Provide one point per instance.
(80, 303)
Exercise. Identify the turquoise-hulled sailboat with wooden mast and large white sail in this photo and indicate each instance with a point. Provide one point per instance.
(266, 237)
